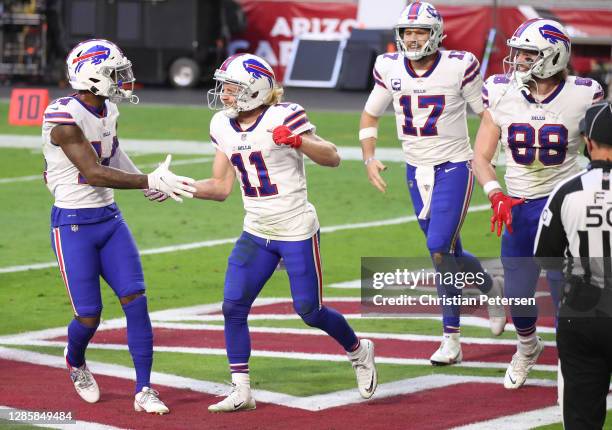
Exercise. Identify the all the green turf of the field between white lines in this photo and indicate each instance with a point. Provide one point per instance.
(37, 299)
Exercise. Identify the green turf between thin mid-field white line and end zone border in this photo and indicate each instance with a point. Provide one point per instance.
(37, 299)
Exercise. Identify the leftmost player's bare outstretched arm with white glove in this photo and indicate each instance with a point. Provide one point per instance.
(80, 152)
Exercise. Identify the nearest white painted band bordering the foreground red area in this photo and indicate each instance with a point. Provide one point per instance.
(310, 403)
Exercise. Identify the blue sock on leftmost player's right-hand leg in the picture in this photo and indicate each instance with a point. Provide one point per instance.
(140, 340)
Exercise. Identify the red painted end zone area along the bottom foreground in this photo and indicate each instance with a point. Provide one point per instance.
(34, 387)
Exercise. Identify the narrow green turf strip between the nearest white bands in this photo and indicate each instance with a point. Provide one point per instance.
(308, 377)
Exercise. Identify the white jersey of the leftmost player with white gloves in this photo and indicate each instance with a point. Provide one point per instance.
(63, 179)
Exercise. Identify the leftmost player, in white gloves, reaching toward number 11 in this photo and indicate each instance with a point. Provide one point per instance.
(89, 236)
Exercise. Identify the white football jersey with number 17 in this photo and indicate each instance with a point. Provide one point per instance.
(430, 109)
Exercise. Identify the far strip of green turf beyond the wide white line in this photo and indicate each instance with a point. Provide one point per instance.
(191, 123)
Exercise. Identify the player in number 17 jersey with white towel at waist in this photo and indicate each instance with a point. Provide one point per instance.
(429, 89)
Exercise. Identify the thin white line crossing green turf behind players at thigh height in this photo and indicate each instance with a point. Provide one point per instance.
(216, 242)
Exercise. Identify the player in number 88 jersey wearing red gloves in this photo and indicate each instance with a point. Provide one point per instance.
(534, 109)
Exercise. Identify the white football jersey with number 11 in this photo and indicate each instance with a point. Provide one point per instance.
(272, 177)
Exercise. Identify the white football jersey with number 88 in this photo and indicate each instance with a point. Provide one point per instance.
(541, 140)
